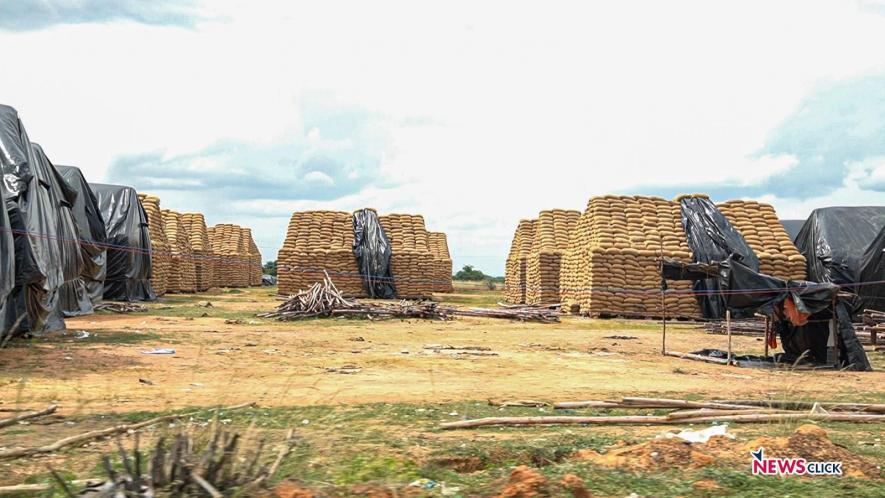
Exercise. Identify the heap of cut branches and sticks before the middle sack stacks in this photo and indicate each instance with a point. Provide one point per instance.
(324, 300)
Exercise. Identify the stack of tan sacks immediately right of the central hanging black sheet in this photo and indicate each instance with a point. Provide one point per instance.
(411, 262)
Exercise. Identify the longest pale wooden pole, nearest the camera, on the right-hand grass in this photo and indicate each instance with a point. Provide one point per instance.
(658, 420)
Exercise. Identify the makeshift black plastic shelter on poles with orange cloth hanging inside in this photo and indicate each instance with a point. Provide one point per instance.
(812, 319)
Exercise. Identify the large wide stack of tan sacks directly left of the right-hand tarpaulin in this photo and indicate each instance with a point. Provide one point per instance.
(612, 266)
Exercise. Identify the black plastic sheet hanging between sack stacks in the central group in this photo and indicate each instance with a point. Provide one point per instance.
(372, 250)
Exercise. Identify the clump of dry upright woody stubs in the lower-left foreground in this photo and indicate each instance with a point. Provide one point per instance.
(188, 467)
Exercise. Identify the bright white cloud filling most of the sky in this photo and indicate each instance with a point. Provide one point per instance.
(492, 111)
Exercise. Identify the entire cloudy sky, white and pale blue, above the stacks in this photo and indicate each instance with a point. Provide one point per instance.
(475, 114)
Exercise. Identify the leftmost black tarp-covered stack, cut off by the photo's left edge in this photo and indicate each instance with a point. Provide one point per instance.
(32, 209)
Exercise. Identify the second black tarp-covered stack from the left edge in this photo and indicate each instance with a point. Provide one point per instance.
(72, 297)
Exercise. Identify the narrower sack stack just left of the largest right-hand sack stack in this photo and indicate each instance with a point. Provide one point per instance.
(542, 267)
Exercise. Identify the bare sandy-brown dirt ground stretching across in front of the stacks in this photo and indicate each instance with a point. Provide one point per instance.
(284, 364)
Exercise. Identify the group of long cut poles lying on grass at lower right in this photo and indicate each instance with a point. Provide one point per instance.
(690, 412)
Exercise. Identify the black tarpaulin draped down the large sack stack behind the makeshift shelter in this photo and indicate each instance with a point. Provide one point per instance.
(712, 239)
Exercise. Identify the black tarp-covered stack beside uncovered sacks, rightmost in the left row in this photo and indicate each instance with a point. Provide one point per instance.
(129, 244)
